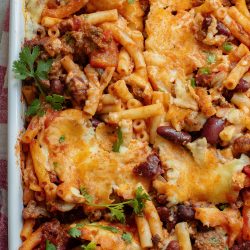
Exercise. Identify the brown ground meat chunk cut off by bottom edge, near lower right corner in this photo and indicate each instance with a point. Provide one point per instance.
(211, 240)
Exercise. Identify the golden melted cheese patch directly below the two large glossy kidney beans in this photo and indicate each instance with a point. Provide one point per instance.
(187, 180)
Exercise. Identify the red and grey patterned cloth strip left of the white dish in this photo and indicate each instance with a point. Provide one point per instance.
(4, 36)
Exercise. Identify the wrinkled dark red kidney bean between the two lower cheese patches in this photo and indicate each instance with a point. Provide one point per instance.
(150, 168)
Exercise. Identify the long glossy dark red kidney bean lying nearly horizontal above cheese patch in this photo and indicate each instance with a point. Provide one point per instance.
(171, 134)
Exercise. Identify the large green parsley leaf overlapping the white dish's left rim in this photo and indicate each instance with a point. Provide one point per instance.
(25, 66)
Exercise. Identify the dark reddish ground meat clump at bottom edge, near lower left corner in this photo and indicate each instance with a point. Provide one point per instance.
(55, 233)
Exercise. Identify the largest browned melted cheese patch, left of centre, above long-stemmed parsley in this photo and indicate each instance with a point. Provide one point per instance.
(81, 160)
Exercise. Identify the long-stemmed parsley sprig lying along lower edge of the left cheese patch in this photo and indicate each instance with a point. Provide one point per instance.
(117, 209)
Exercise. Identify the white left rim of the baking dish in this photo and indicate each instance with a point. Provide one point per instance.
(15, 125)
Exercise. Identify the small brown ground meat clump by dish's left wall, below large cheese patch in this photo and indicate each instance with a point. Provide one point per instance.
(33, 211)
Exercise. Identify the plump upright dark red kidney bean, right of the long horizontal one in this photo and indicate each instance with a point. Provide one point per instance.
(212, 129)
